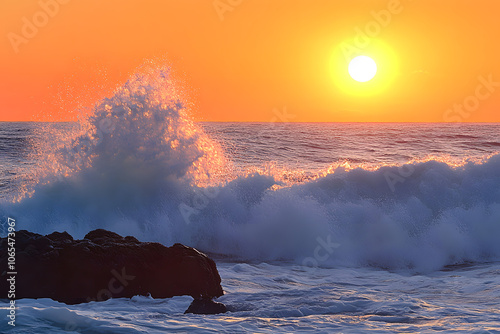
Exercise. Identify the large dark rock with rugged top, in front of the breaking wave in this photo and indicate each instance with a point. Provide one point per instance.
(105, 265)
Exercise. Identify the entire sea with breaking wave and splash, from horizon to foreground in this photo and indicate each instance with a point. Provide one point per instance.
(315, 227)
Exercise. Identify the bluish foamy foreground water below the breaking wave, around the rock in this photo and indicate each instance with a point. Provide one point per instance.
(278, 298)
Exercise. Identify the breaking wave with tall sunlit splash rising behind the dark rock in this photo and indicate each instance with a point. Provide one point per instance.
(138, 165)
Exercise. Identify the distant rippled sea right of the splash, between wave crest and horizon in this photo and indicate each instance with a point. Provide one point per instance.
(319, 146)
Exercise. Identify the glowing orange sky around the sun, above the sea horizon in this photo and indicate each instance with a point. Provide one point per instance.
(246, 58)
